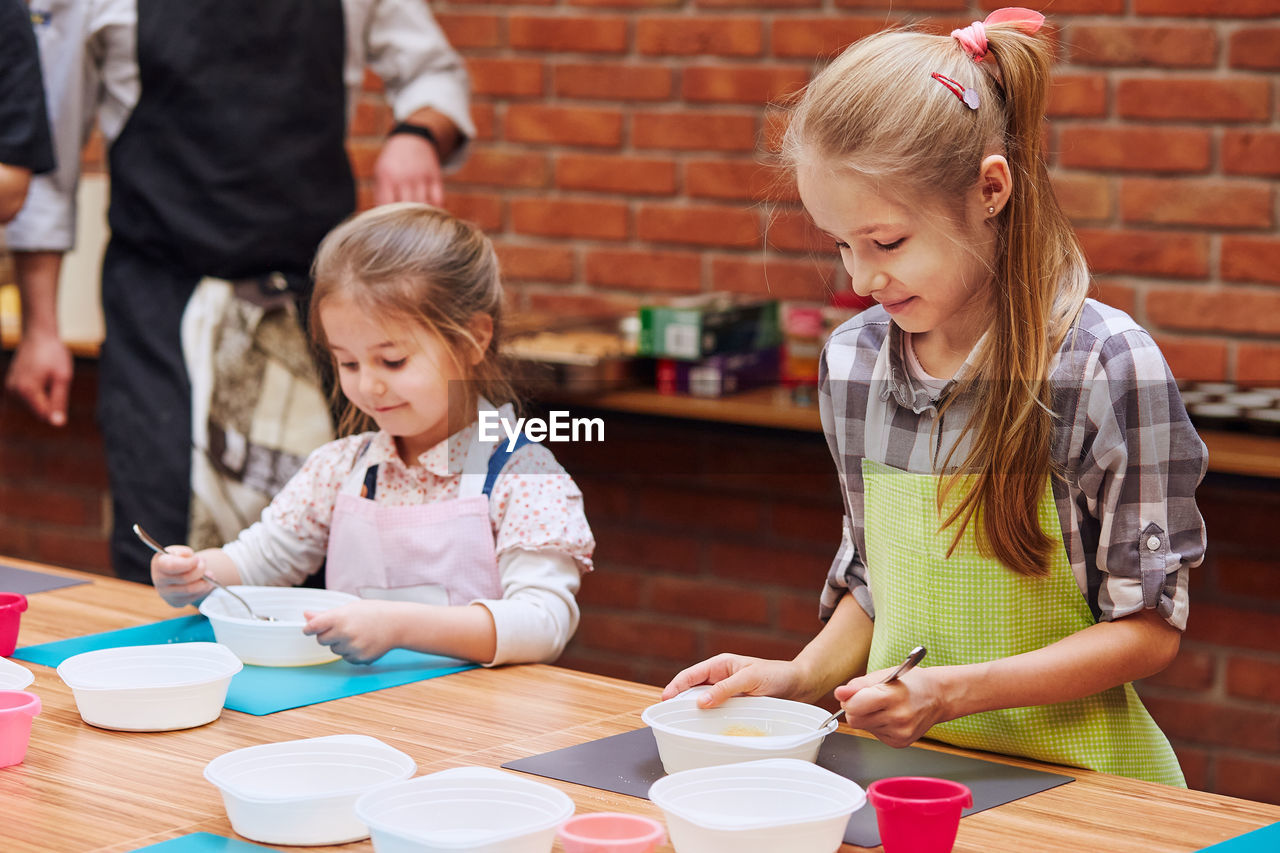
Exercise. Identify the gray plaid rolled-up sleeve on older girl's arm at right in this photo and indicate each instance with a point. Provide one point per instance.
(1144, 467)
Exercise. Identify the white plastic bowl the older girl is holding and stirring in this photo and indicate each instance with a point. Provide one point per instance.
(691, 737)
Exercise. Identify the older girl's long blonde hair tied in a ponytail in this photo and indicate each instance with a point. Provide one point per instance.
(879, 113)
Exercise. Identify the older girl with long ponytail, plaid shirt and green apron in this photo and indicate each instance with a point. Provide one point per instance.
(1018, 468)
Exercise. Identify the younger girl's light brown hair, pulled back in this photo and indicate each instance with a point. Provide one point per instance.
(417, 264)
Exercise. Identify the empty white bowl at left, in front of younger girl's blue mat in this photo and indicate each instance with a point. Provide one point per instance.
(152, 688)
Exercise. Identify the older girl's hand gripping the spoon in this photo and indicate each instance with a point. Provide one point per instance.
(899, 714)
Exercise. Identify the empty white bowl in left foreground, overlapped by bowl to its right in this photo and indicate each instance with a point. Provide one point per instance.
(304, 792)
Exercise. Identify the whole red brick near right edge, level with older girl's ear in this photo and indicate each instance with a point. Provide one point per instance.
(1209, 204)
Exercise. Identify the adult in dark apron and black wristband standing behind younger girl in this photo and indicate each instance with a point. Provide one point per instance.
(226, 130)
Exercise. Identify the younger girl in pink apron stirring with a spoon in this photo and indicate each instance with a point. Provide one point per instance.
(458, 546)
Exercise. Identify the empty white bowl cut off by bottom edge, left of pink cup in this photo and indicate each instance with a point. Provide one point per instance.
(465, 809)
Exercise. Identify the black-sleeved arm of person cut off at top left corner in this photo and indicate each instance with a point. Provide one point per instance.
(25, 144)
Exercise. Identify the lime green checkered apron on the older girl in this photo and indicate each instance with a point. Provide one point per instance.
(967, 609)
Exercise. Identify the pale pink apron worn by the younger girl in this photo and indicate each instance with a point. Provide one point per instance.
(436, 554)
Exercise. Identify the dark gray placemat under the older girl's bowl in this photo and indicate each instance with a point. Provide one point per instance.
(628, 764)
